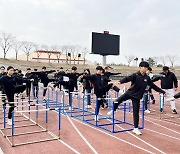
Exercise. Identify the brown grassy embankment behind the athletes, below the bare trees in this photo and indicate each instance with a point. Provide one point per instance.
(125, 70)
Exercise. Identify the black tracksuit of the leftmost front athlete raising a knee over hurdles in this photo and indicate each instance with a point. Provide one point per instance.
(10, 88)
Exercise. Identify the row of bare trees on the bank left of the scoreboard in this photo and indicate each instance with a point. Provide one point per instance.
(72, 52)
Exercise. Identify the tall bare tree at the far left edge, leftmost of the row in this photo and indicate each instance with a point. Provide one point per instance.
(6, 42)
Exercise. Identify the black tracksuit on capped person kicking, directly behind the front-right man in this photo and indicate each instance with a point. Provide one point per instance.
(99, 88)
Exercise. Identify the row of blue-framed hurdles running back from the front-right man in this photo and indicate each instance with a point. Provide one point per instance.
(80, 113)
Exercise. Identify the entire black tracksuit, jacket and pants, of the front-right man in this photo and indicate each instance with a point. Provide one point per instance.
(140, 83)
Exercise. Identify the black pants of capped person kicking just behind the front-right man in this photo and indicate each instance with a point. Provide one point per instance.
(99, 96)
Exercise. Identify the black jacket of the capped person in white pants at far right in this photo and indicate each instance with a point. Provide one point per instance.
(168, 81)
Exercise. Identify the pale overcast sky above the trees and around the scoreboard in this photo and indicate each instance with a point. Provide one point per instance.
(147, 27)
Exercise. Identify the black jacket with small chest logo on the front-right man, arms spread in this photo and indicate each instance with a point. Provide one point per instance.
(139, 84)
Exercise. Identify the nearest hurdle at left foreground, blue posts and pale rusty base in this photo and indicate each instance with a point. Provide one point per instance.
(11, 137)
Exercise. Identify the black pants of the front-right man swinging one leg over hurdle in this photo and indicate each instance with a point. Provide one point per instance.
(135, 103)
